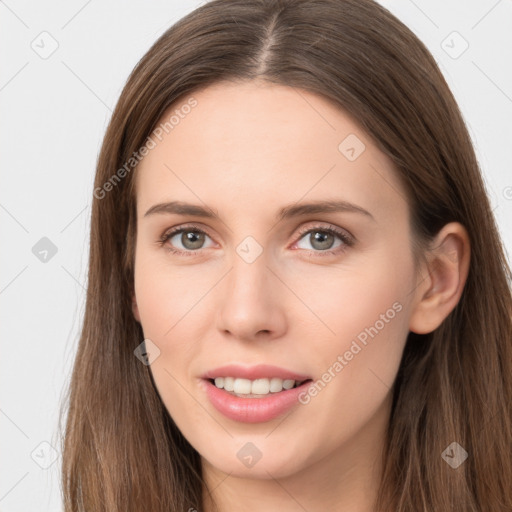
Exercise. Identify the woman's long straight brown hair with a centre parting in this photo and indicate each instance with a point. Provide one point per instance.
(121, 449)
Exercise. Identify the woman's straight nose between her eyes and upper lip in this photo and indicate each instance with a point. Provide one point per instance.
(251, 302)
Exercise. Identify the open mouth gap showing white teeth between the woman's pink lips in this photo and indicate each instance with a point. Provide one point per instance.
(257, 388)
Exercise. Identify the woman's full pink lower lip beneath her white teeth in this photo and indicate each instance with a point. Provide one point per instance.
(254, 410)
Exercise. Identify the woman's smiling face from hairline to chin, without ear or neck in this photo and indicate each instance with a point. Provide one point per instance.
(252, 286)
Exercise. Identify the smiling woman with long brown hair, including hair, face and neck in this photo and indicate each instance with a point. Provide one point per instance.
(297, 297)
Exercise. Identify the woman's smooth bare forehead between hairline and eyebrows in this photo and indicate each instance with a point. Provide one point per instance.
(258, 146)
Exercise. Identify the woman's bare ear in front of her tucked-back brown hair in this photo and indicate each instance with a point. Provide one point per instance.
(442, 281)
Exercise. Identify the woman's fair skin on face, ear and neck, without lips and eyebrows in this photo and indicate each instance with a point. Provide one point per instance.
(246, 150)
